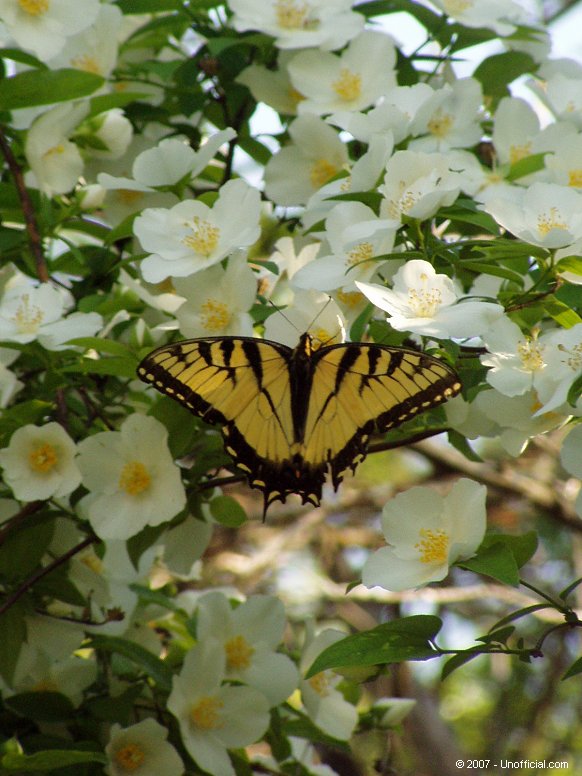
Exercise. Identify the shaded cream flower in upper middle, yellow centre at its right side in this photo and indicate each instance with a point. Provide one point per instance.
(297, 171)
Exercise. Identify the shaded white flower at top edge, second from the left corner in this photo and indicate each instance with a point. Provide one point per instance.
(93, 50)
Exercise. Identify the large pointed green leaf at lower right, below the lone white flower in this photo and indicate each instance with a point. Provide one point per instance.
(407, 638)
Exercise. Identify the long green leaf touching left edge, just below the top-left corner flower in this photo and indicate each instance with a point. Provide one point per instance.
(45, 87)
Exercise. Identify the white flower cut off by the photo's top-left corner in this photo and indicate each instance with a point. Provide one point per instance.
(42, 26)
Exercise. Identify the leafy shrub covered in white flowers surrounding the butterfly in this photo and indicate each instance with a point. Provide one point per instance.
(192, 169)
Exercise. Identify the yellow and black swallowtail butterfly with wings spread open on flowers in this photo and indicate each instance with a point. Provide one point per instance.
(288, 415)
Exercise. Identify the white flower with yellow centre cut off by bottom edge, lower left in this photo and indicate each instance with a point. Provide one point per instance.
(142, 749)
